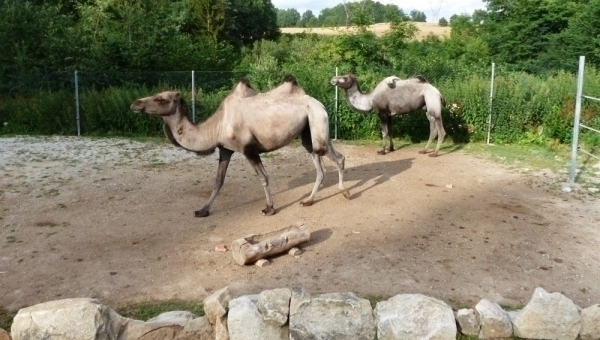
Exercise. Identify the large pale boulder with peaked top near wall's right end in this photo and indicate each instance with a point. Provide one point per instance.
(547, 316)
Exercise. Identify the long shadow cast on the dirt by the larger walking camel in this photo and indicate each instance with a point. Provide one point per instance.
(362, 174)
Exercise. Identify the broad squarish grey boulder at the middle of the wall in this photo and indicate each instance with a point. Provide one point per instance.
(337, 316)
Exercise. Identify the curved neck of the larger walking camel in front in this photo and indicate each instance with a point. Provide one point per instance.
(193, 137)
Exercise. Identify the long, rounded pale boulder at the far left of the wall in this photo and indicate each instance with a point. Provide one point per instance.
(69, 319)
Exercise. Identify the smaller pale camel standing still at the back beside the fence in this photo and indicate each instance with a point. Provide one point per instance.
(395, 96)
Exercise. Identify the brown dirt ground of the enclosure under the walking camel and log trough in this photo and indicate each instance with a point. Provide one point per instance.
(113, 219)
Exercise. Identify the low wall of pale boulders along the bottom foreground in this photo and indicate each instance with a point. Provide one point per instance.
(294, 314)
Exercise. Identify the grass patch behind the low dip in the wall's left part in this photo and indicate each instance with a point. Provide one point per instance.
(147, 310)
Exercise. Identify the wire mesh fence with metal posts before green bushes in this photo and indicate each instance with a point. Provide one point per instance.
(527, 105)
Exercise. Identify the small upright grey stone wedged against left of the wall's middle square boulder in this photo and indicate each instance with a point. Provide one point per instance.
(274, 305)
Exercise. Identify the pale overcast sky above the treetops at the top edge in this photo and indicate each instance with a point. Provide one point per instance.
(433, 9)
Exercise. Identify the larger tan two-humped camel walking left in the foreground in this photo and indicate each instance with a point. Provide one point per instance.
(251, 123)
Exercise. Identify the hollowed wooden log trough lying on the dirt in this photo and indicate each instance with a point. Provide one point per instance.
(251, 248)
